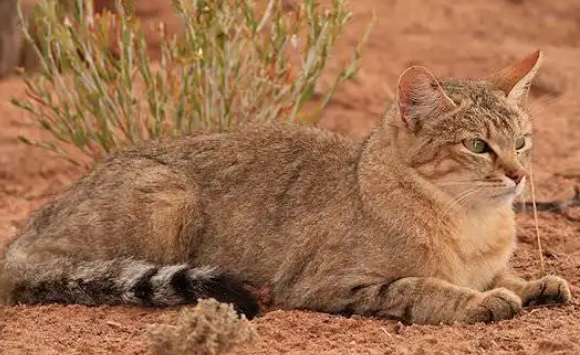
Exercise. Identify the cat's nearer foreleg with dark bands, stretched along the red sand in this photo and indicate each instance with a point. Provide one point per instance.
(421, 300)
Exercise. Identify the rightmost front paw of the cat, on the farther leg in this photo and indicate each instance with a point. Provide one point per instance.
(549, 289)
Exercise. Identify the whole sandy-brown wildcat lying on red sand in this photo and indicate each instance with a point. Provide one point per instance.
(415, 222)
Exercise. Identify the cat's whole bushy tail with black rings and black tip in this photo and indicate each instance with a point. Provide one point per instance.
(120, 281)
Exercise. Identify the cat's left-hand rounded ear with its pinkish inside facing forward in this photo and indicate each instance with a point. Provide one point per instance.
(419, 96)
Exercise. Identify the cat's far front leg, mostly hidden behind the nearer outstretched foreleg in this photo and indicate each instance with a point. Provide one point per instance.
(548, 289)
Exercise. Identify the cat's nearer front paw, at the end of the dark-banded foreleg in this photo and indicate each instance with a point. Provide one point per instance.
(494, 305)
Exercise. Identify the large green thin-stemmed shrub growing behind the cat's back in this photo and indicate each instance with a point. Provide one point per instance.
(97, 88)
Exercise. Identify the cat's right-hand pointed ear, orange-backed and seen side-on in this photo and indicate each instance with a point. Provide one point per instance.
(516, 79)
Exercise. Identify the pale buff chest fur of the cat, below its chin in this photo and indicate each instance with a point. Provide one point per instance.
(481, 249)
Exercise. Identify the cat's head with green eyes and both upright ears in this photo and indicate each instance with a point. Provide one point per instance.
(470, 138)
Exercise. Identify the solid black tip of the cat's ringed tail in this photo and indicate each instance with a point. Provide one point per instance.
(228, 289)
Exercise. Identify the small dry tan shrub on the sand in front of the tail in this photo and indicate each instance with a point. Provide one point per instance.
(210, 328)
